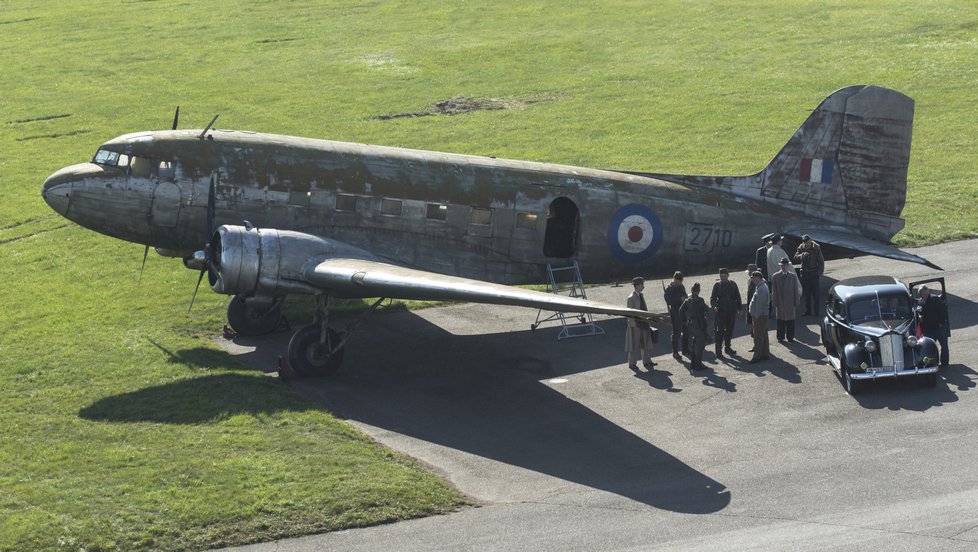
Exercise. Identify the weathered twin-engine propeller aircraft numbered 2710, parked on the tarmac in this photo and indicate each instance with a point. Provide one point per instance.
(268, 215)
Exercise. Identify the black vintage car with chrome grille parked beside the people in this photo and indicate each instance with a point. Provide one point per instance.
(870, 332)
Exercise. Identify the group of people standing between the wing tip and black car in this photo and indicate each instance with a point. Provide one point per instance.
(774, 289)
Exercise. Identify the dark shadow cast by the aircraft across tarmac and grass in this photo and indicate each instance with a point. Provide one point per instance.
(481, 394)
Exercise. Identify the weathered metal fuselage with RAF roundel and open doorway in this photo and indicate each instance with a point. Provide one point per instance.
(477, 217)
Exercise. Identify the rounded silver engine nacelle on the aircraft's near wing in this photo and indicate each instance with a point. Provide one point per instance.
(268, 261)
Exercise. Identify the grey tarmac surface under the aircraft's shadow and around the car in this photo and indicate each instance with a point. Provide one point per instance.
(565, 448)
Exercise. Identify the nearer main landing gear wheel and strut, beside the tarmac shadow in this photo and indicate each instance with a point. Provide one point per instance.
(317, 350)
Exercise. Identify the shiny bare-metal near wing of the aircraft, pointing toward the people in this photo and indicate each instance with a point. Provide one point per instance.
(371, 278)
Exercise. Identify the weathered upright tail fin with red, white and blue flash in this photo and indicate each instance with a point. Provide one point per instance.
(846, 164)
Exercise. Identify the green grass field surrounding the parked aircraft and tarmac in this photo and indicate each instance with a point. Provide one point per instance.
(124, 428)
